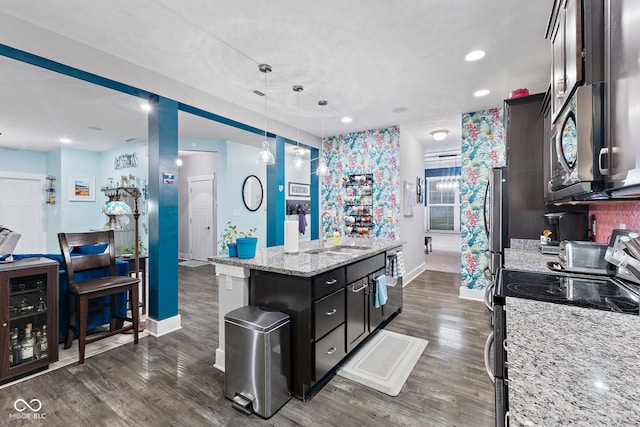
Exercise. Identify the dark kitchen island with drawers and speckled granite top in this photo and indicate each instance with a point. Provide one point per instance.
(328, 293)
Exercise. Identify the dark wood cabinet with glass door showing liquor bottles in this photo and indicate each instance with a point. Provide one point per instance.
(29, 301)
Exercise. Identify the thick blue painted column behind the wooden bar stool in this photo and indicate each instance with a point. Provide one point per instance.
(163, 209)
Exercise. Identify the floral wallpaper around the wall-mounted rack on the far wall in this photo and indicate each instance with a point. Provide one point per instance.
(374, 152)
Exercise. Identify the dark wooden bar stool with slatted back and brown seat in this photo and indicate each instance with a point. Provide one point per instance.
(101, 253)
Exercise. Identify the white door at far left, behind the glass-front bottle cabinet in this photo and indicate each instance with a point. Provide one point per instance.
(21, 210)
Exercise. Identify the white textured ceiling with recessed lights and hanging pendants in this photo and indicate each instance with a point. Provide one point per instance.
(367, 58)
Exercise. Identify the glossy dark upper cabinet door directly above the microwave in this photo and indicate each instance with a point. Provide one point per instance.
(565, 32)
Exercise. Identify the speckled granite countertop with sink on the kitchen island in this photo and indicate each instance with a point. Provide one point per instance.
(303, 264)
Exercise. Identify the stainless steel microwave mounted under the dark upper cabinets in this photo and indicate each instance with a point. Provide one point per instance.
(577, 137)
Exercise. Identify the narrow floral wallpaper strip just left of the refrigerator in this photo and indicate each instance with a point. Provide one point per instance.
(483, 148)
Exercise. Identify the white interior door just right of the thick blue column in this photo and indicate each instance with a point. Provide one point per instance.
(202, 233)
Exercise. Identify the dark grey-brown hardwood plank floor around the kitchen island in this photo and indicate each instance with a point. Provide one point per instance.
(171, 380)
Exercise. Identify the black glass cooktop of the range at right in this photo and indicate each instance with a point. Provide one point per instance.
(599, 293)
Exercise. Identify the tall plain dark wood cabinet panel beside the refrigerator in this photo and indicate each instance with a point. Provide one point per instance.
(524, 134)
